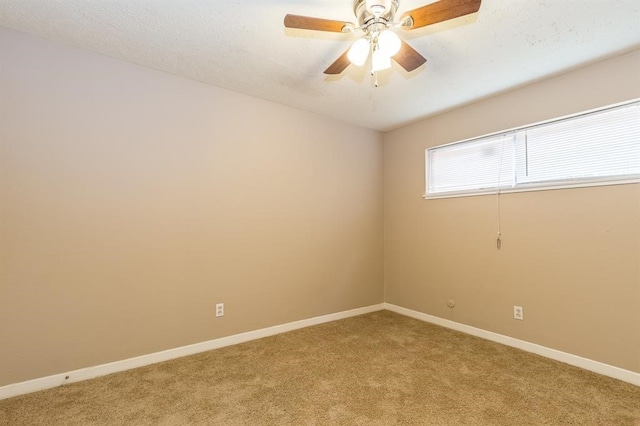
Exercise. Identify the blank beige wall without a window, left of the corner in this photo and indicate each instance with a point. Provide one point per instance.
(131, 201)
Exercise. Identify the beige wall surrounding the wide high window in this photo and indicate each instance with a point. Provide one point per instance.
(570, 257)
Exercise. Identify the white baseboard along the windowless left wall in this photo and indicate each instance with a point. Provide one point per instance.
(55, 380)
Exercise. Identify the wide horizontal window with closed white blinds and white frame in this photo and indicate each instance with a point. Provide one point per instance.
(595, 148)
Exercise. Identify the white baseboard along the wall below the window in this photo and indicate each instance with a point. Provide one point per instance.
(577, 361)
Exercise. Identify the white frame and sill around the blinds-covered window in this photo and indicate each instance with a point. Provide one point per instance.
(533, 186)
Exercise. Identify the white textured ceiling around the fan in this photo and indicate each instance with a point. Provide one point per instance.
(242, 45)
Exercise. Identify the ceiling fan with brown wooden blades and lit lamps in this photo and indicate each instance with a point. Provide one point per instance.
(376, 19)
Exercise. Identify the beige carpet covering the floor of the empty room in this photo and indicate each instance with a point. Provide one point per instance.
(375, 369)
